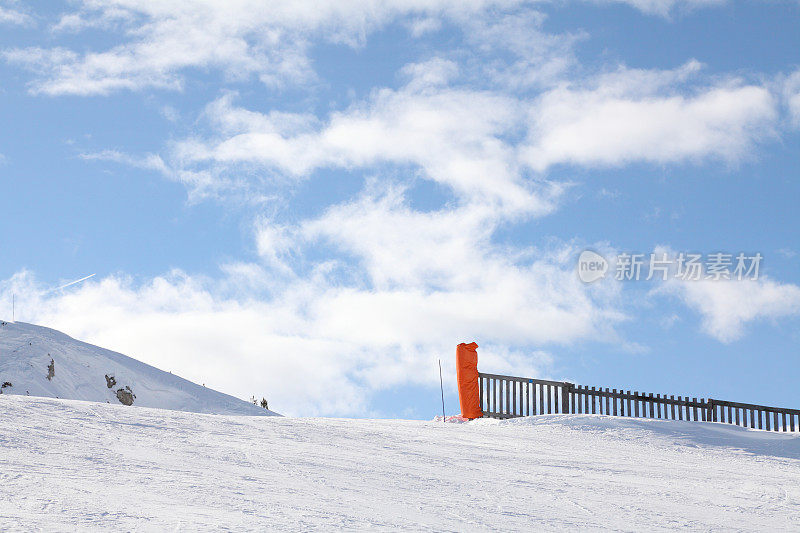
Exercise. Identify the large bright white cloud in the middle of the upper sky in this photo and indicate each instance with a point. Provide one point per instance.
(455, 136)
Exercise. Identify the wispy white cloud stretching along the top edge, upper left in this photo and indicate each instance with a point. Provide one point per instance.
(241, 38)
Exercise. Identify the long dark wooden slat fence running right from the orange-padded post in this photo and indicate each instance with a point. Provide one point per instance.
(510, 397)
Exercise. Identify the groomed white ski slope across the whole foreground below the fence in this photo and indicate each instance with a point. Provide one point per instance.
(68, 465)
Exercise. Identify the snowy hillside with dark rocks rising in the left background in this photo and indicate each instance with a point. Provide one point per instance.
(80, 371)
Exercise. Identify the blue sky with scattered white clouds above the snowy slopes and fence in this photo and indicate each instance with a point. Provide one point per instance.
(315, 202)
